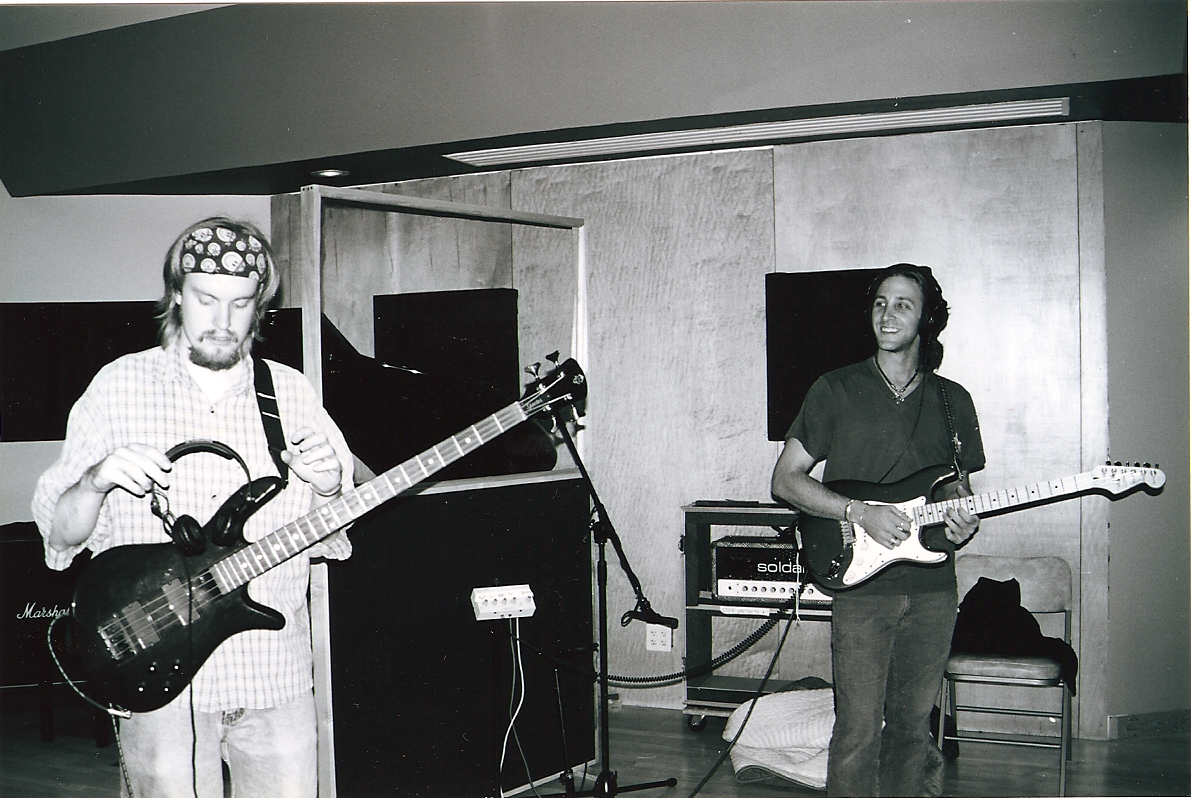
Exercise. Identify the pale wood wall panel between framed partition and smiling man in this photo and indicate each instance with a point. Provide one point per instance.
(677, 254)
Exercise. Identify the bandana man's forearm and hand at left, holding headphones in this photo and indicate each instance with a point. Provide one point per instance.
(134, 469)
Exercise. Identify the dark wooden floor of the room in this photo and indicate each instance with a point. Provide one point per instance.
(646, 746)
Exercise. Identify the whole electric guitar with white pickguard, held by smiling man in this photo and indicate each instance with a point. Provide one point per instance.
(840, 554)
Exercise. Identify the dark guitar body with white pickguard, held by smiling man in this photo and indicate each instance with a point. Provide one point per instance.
(841, 554)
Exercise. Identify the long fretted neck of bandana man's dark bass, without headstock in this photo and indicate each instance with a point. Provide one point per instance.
(300, 535)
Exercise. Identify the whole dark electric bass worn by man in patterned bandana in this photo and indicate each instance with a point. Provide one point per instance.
(145, 619)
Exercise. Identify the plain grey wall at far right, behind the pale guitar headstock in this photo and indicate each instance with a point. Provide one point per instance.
(1146, 261)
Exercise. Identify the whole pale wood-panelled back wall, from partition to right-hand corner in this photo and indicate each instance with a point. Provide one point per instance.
(677, 253)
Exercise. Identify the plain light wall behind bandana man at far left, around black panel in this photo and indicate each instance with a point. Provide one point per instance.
(89, 250)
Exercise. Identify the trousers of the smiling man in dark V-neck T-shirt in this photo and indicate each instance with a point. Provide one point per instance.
(888, 658)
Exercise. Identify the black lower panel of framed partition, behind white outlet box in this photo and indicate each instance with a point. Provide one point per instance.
(421, 688)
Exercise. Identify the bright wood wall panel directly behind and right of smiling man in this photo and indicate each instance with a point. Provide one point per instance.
(996, 215)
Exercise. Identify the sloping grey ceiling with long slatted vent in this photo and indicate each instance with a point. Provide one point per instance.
(254, 98)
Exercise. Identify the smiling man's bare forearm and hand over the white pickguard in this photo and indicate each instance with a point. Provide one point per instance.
(793, 483)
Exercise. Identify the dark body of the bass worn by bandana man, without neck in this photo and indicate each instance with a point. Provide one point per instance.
(129, 622)
